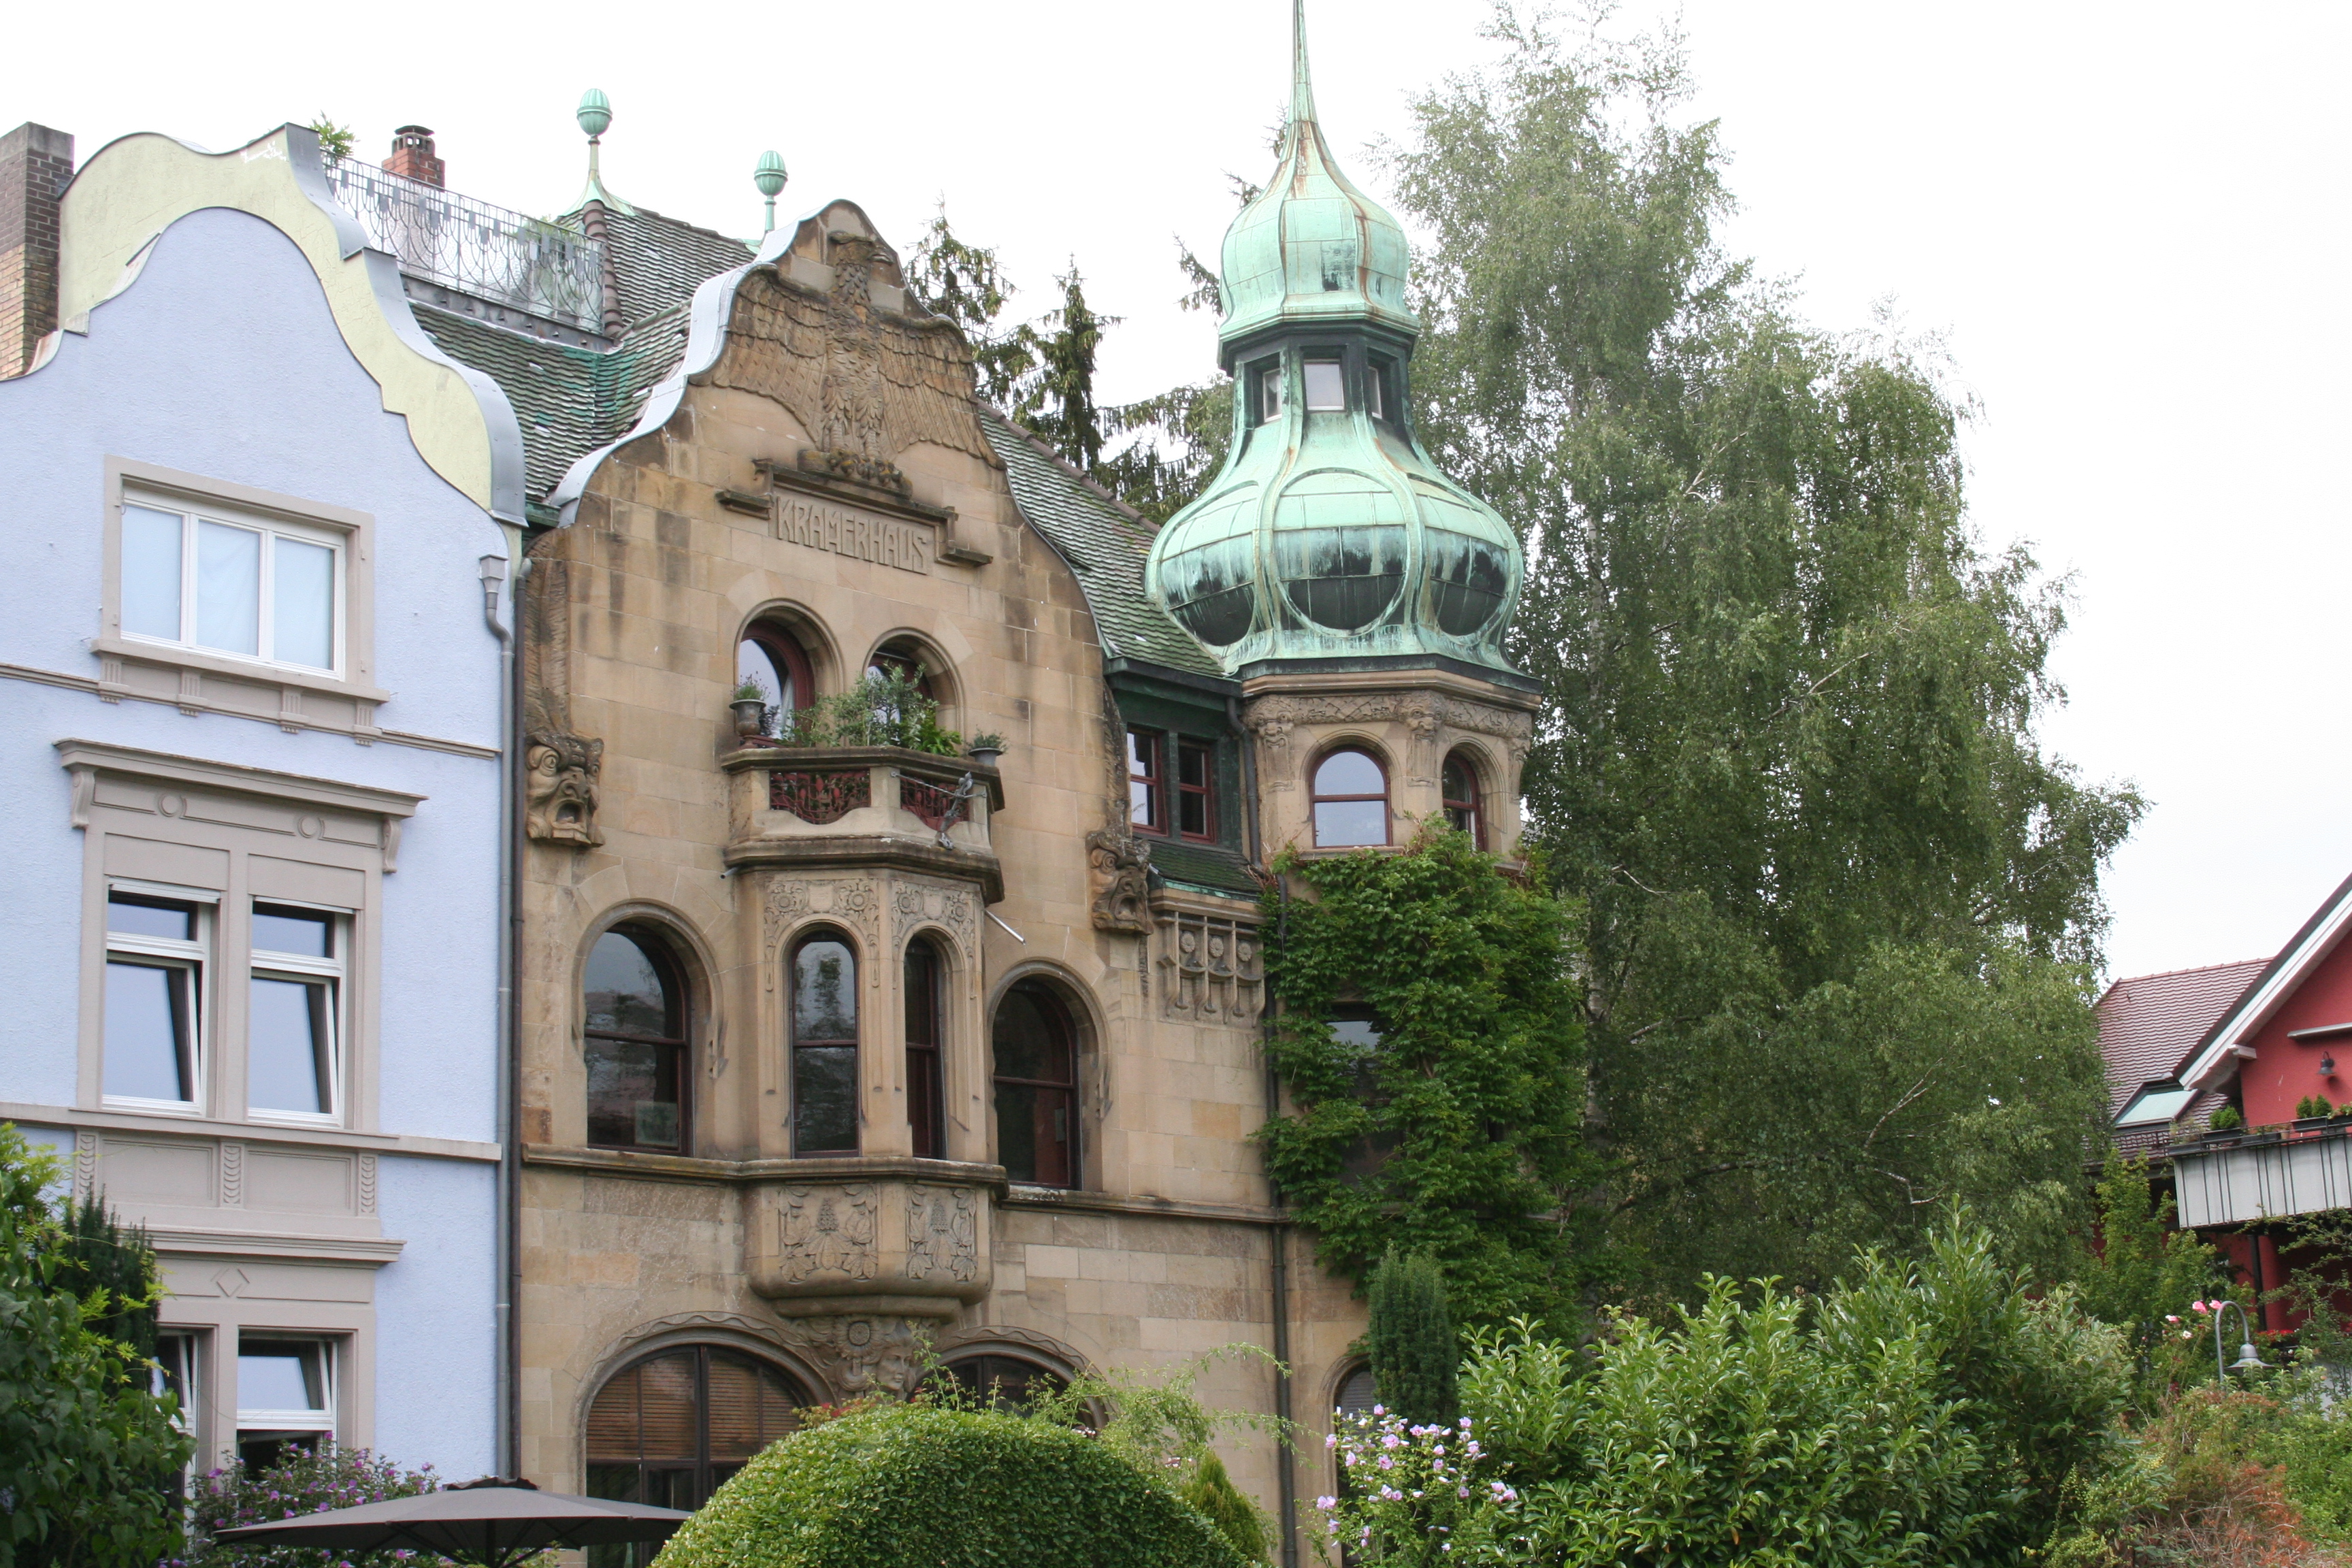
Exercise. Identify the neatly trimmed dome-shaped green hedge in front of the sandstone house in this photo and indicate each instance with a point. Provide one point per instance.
(911, 1487)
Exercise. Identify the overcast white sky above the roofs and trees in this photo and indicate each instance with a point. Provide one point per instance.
(2127, 220)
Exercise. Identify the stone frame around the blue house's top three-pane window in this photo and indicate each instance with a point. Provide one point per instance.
(131, 478)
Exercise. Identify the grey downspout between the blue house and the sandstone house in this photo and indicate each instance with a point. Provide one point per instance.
(495, 575)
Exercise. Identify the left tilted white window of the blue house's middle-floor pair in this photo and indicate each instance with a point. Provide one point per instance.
(159, 946)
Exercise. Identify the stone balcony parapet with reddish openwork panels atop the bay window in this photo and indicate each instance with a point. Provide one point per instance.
(862, 805)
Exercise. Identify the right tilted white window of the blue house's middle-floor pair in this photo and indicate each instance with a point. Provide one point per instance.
(293, 1019)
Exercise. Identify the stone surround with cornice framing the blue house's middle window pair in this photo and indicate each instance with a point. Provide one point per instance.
(236, 836)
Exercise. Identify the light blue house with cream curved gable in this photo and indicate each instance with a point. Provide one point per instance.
(250, 725)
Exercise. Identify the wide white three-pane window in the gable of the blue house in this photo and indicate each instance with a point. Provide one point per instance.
(229, 582)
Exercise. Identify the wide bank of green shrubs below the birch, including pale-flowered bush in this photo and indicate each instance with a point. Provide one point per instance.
(1916, 1414)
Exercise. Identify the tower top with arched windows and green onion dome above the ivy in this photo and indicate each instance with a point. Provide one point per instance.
(1354, 589)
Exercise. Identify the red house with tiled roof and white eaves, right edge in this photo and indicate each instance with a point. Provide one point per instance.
(2264, 1040)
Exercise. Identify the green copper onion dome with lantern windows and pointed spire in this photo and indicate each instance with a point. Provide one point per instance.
(1330, 535)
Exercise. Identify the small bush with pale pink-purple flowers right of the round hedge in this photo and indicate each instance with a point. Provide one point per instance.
(1417, 1494)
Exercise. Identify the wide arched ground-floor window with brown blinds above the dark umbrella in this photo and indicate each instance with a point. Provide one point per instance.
(671, 1428)
